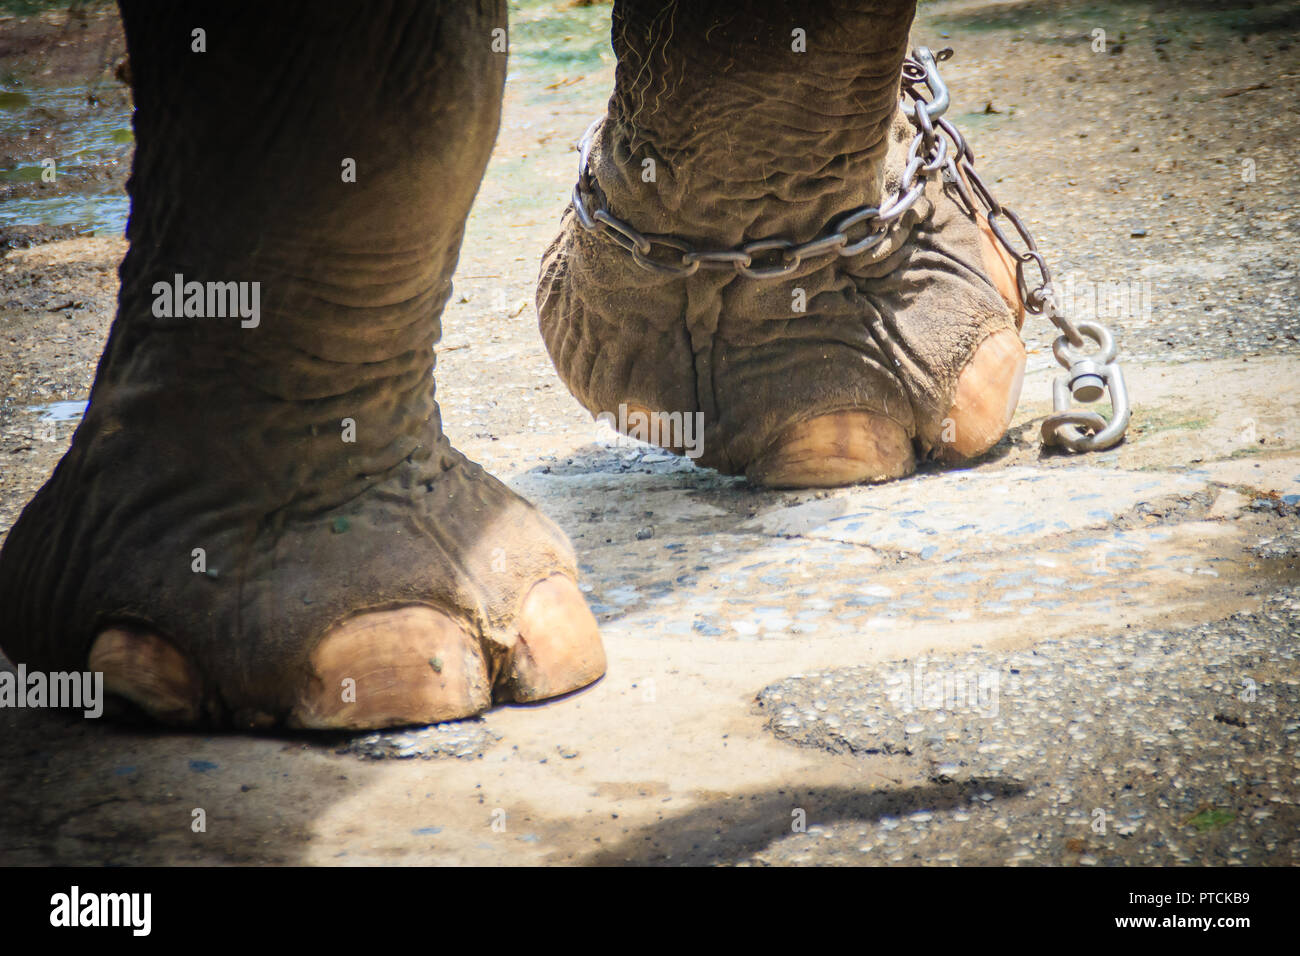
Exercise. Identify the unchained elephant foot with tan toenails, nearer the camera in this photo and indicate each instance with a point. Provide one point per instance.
(430, 596)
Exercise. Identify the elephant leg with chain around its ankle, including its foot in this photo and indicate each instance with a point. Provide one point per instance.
(744, 120)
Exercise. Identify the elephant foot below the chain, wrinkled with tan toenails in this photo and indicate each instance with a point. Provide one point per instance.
(911, 353)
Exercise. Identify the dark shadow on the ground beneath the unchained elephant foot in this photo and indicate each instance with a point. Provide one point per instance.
(110, 793)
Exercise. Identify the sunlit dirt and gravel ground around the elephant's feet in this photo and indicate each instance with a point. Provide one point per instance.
(755, 637)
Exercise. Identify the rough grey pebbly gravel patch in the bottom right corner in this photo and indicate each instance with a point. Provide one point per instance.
(1152, 749)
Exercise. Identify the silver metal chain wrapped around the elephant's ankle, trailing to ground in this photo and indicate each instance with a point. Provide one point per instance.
(937, 150)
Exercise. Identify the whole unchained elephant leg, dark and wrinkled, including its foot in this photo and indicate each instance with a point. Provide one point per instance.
(259, 521)
